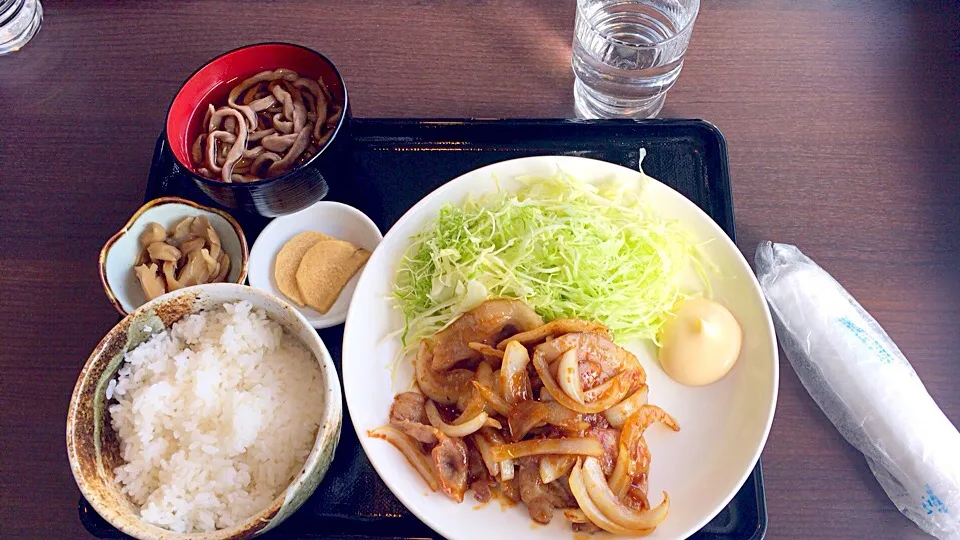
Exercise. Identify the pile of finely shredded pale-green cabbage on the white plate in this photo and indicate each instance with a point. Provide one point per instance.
(567, 247)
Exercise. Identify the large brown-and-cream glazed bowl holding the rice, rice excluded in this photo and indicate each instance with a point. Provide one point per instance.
(93, 448)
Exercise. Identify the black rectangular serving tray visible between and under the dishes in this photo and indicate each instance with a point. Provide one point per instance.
(397, 162)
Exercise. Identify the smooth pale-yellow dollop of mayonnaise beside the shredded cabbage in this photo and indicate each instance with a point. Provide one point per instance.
(701, 343)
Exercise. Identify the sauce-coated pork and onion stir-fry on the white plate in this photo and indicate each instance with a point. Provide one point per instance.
(551, 415)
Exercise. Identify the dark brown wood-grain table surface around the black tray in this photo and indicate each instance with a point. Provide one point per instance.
(844, 138)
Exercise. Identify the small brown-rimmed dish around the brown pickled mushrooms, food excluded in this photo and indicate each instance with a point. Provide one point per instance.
(119, 253)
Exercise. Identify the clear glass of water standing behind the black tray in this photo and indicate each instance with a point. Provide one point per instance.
(627, 54)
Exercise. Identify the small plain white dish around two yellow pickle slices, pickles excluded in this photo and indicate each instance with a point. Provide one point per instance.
(332, 218)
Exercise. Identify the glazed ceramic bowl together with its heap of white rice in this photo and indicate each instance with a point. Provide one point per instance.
(210, 412)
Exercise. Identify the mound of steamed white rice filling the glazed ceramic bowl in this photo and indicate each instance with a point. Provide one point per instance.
(215, 418)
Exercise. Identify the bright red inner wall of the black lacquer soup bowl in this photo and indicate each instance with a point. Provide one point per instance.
(213, 82)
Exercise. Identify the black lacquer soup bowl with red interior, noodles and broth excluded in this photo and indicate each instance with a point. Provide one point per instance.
(285, 193)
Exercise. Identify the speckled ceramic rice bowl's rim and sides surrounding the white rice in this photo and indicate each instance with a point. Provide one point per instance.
(286, 502)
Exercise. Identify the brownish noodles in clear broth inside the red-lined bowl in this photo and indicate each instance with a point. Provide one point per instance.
(271, 123)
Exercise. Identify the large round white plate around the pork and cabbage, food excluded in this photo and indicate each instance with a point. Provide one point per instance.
(723, 426)
